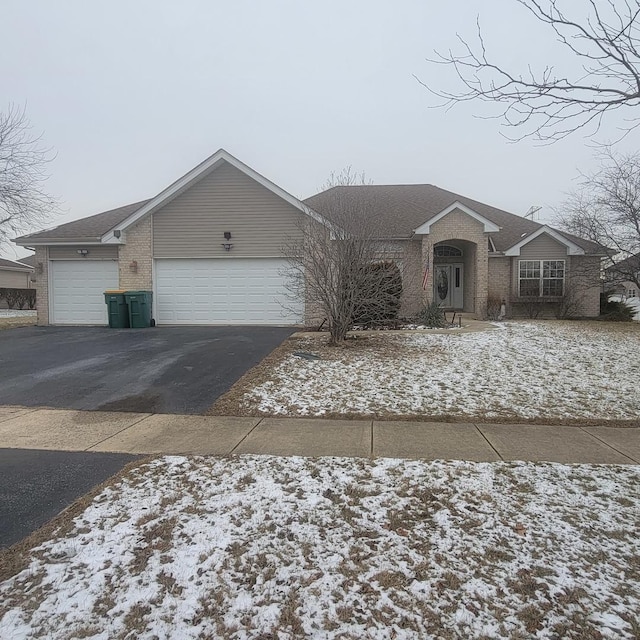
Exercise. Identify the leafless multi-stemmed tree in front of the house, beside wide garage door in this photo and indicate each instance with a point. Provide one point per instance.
(340, 265)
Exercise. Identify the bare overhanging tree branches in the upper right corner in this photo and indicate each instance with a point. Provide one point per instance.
(602, 35)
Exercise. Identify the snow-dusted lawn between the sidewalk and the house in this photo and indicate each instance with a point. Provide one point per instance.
(542, 371)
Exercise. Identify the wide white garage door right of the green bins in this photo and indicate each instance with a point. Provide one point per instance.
(223, 291)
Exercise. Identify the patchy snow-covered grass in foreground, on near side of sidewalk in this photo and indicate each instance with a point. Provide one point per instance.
(263, 547)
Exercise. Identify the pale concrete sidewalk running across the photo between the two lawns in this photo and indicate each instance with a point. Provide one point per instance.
(145, 433)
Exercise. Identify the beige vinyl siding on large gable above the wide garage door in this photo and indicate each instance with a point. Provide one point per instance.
(193, 224)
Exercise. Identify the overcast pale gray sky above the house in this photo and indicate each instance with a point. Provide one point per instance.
(131, 95)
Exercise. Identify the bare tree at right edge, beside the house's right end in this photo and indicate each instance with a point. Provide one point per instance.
(606, 209)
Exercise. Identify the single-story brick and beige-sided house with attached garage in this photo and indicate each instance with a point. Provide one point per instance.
(210, 248)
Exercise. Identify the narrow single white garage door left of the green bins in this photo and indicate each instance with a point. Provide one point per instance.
(77, 288)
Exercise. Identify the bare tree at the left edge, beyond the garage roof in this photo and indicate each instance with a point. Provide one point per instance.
(23, 201)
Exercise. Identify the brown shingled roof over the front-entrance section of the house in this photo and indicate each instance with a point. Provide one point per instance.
(398, 210)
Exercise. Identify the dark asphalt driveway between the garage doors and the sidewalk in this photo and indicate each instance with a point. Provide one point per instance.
(157, 370)
